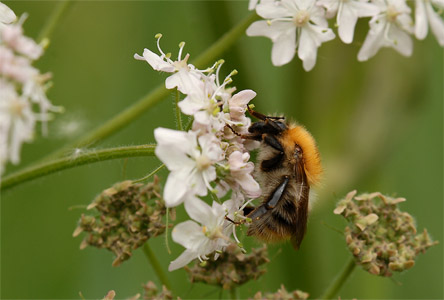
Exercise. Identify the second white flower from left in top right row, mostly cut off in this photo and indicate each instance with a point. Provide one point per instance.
(347, 13)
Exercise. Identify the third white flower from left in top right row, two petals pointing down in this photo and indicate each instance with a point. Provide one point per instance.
(390, 28)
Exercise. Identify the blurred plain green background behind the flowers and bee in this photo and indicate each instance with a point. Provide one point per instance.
(378, 124)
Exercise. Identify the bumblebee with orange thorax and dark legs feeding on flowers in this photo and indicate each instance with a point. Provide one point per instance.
(288, 165)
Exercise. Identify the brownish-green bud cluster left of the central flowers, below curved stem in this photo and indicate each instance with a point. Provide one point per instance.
(128, 215)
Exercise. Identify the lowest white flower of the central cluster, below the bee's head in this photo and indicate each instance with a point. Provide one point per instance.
(200, 240)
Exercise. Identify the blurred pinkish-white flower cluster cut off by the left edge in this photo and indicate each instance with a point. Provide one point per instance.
(21, 88)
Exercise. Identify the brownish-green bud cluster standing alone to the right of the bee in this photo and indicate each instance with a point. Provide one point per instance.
(381, 237)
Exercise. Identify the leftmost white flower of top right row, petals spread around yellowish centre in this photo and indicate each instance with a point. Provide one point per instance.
(292, 24)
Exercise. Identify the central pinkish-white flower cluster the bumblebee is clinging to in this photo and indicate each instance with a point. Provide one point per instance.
(208, 159)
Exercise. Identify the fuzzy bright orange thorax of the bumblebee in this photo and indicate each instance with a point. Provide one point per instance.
(298, 135)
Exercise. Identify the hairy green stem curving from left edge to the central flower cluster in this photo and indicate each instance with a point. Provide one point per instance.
(79, 159)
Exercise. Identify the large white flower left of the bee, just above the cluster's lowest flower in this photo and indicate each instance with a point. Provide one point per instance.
(191, 161)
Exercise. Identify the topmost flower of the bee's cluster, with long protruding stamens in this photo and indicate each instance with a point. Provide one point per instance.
(185, 76)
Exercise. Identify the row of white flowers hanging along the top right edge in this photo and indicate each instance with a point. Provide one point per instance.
(302, 25)
